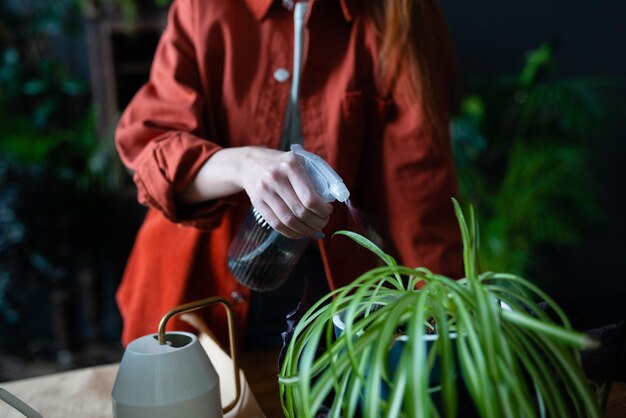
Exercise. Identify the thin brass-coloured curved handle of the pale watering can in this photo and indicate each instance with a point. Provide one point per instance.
(192, 306)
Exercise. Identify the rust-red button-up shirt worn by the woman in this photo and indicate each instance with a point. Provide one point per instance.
(220, 78)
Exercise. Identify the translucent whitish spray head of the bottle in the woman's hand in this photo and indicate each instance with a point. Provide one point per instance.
(326, 181)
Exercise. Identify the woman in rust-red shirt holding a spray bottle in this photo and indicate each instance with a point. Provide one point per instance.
(363, 84)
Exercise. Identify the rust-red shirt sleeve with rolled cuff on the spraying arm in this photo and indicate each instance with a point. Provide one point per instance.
(161, 135)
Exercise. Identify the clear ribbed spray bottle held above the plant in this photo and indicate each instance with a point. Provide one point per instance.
(261, 258)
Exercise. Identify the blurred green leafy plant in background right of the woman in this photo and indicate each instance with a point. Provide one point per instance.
(524, 152)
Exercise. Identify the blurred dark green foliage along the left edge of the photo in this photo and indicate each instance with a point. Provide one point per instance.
(53, 167)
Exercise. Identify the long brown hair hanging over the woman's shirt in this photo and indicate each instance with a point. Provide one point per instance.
(416, 49)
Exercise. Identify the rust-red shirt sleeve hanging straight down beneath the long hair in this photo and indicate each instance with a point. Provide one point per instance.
(413, 174)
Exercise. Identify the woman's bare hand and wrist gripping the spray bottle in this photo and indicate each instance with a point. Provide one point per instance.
(276, 183)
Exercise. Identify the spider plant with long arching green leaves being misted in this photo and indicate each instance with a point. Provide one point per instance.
(491, 340)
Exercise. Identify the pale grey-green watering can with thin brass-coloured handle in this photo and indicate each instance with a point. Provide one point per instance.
(170, 375)
